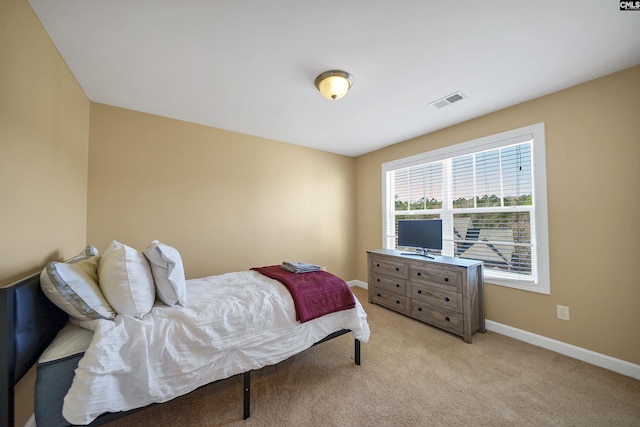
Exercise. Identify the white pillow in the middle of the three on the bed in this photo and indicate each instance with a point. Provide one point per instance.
(126, 281)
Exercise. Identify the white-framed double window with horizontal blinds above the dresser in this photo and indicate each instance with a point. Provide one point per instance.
(491, 196)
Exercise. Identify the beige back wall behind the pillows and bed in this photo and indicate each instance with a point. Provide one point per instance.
(226, 201)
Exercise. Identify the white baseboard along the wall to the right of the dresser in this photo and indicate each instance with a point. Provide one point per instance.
(617, 365)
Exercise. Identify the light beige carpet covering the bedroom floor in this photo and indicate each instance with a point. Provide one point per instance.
(412, 375)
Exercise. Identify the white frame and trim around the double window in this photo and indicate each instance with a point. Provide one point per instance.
(540, 281)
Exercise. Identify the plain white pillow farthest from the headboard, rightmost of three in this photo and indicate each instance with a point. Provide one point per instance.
(168, 273)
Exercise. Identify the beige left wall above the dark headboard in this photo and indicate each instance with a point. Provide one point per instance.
(44, 131)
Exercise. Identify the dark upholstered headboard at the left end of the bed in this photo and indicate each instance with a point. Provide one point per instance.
(29, 323)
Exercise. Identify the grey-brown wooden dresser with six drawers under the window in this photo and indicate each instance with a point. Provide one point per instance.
(443, 292)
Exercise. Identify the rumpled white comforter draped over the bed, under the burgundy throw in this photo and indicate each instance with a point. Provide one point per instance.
(233, 323)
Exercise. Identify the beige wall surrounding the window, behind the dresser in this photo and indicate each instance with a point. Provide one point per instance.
(593, 150)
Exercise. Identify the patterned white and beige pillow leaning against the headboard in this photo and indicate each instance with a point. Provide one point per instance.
(73, 286)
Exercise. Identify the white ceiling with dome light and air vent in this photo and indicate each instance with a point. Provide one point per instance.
(249, 65)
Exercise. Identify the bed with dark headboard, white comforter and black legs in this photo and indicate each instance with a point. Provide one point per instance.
(33, 329)
